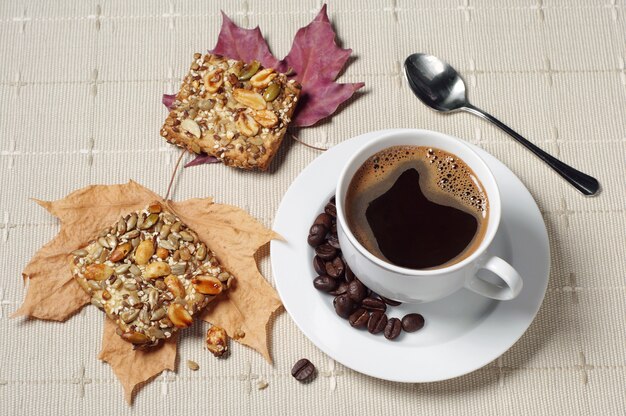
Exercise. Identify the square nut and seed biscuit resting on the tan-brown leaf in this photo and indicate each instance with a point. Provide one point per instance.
(150, 274)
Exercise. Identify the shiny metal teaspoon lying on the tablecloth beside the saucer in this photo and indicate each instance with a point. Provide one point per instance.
(439, 86)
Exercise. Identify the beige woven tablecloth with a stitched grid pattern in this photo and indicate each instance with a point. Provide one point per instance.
(80, 88)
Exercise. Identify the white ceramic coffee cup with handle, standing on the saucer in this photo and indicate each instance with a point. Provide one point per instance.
(417, 286)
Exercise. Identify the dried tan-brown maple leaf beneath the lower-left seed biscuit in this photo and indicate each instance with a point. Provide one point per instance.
(229, 231)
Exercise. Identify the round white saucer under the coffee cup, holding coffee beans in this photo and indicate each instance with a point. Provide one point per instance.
(463, 332)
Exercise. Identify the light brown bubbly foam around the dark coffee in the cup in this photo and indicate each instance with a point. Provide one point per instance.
(444, 179)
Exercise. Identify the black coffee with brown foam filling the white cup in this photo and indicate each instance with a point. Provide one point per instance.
(417, 207)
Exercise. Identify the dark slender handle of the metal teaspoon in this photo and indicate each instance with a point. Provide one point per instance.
(581, 181)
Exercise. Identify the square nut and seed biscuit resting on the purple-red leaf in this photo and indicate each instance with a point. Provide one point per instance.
(234, 111)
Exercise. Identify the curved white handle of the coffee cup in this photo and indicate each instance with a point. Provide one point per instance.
(508, 275)
